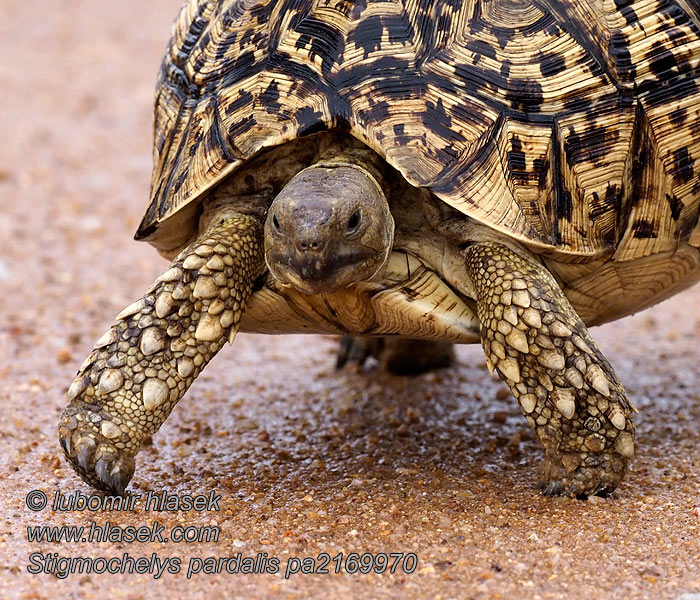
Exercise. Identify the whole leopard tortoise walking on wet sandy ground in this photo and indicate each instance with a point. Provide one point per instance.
(412, 174)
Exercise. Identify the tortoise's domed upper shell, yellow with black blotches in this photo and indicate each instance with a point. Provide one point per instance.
(572, 126)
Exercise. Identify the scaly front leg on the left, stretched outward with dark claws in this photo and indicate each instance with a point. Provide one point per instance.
(156, 348)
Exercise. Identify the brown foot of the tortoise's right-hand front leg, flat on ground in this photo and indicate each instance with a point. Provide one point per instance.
(582, 474)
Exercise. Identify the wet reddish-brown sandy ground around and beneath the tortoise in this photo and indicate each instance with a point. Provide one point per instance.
(307, 460)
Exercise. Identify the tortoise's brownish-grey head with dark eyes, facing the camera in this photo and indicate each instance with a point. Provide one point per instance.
(330, 227)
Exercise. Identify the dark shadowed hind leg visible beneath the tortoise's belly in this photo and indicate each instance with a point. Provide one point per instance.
(401, 356)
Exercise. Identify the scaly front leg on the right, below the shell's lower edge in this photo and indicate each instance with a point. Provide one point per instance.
(566, 388)
